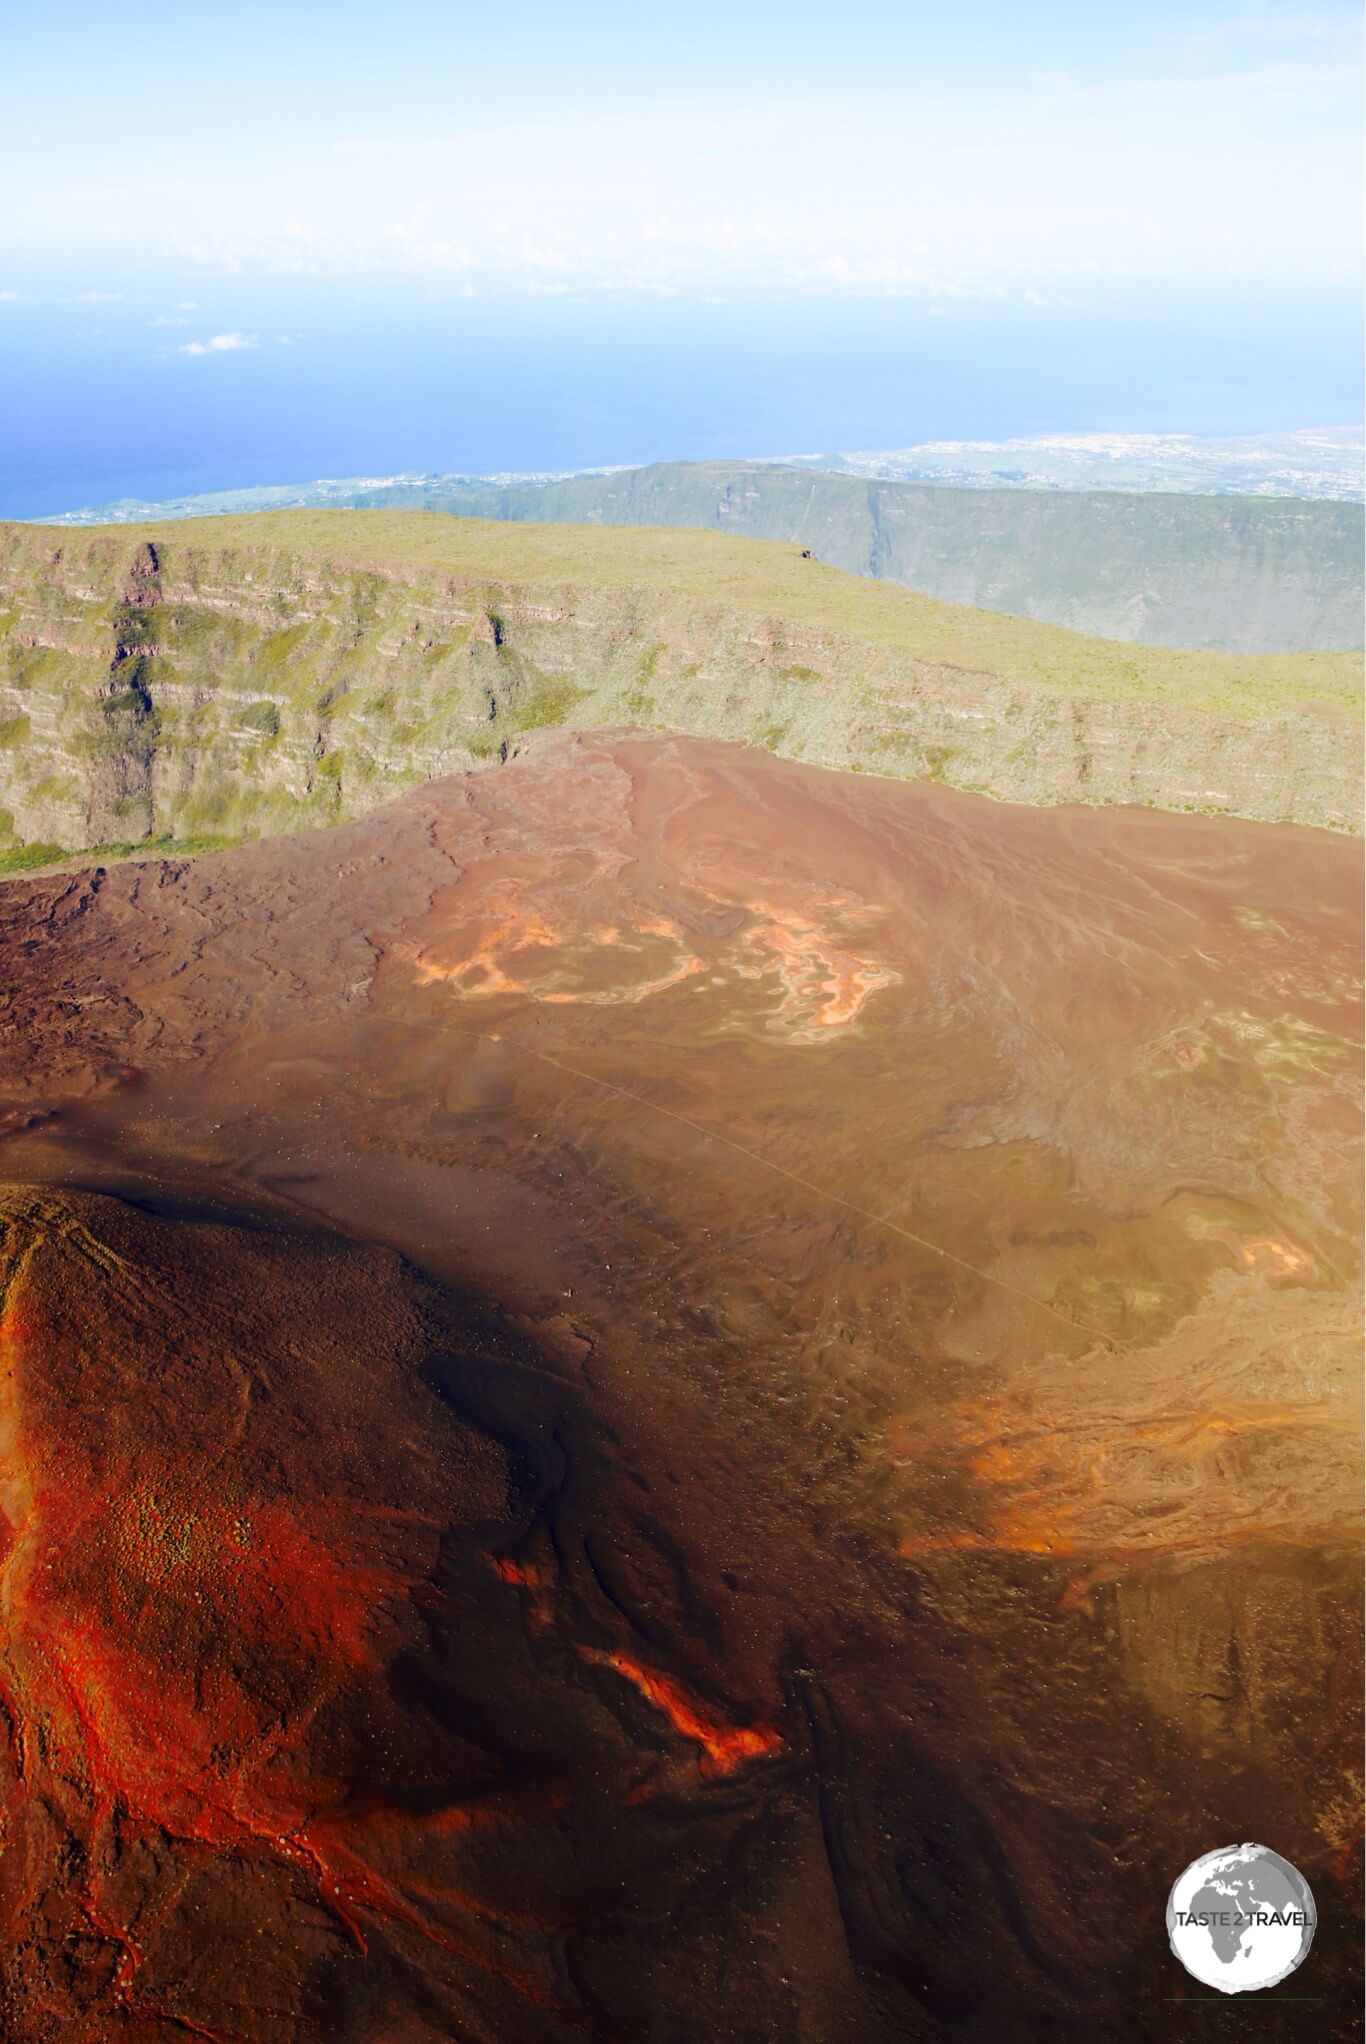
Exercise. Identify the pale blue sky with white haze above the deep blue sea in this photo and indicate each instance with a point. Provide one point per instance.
(561, 152)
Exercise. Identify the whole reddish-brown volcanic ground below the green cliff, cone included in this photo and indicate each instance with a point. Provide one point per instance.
(664, 1397)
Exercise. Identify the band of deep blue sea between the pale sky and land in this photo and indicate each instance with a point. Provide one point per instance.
(99, 402)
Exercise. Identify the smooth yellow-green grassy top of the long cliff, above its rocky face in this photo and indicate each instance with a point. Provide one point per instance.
(770, 579)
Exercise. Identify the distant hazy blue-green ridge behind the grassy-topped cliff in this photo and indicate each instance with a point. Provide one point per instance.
(1222, 573)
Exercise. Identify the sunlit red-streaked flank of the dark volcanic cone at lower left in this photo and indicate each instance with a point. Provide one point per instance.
(195, 1583)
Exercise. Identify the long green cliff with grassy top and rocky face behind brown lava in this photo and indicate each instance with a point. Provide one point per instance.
(206, 682)
